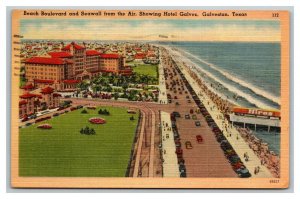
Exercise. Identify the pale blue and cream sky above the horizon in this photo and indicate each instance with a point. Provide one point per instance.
(141, 29)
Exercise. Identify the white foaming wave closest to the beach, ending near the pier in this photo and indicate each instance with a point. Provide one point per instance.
(233, 89)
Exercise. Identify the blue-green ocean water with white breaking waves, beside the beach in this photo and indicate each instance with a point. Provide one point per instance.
(248, 74)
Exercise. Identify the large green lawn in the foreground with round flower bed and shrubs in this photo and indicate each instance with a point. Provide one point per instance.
(63, 151)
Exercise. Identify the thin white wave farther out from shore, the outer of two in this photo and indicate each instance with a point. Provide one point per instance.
(243, 83)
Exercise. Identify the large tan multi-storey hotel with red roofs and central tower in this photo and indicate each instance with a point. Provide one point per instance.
(64, 69)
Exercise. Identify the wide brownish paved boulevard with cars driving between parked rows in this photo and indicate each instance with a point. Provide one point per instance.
(203, 160)
